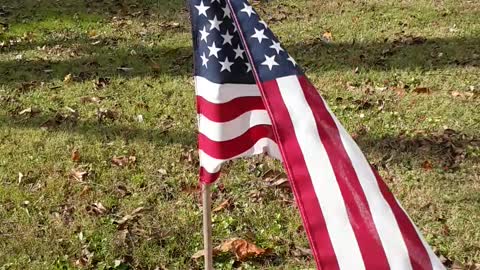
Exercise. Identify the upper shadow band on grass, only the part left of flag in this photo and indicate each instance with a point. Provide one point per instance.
(101, 60)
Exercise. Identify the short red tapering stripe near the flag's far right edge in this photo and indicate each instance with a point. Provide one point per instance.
(416, 250)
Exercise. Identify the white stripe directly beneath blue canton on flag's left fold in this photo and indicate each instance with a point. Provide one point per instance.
(222, 93)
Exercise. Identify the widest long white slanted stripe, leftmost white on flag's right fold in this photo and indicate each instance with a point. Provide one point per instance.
(321, 172)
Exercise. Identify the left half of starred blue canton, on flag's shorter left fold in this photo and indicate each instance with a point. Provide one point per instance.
(219, 54)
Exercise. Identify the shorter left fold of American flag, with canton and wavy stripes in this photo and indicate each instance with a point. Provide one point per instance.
(232, 119)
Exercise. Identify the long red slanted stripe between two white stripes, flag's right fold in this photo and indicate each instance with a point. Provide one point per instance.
(359, 213)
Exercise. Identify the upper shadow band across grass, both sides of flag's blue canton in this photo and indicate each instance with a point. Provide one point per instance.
(105, 58)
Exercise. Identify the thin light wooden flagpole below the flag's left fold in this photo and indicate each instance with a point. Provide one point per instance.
(207, 226)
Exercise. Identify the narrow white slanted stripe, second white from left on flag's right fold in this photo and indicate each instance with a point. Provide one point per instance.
(383, 217)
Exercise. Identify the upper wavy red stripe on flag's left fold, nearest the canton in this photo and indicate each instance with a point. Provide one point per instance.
(228, 111)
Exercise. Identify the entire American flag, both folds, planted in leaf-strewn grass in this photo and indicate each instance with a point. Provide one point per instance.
(351, 218)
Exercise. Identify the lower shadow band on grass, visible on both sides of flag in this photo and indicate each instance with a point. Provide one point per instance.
(445, 150)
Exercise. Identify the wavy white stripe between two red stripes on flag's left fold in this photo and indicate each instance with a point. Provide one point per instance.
(224, 131)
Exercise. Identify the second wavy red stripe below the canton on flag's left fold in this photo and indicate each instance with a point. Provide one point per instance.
(234, 147)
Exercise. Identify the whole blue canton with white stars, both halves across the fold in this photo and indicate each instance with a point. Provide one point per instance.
(219, 53)
